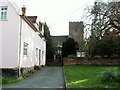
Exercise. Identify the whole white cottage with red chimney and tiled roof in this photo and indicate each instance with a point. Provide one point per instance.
(22, 44)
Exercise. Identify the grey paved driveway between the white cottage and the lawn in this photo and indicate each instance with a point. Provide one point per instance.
(46, 77)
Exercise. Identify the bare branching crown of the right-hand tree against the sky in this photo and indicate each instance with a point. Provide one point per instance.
(105, 16)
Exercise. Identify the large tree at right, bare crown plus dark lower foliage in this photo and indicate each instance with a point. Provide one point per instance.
(105, 19)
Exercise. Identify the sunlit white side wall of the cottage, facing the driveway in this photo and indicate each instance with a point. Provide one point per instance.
(34, 41)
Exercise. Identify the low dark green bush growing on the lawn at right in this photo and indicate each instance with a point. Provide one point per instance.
(110, 76)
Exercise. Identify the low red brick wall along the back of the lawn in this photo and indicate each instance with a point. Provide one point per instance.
(87, 61)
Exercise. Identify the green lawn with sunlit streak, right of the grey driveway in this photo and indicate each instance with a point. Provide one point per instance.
(87, 76)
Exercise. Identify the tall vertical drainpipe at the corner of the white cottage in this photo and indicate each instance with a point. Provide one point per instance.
(19, 68)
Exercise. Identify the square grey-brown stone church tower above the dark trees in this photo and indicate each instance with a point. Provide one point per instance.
(76, 31)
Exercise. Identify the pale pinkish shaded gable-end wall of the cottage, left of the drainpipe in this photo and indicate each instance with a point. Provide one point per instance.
(10, 28)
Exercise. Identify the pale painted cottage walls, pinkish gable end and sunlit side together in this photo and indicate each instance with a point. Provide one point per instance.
(9, 43)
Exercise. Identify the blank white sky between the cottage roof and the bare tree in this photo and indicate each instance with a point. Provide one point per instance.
(56, 13)
